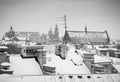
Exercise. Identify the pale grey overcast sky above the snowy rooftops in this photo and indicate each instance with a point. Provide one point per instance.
(40, 15)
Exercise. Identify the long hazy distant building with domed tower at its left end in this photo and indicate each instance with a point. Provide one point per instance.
(20, 37)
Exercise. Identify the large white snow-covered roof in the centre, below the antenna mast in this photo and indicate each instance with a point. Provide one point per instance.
(67, 66)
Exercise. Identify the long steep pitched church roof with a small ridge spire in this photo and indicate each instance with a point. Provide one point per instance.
(94, 37)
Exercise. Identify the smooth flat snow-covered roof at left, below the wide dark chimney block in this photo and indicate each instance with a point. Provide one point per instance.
(24, 66)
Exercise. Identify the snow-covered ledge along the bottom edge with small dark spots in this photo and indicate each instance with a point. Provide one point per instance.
(61, 78)
